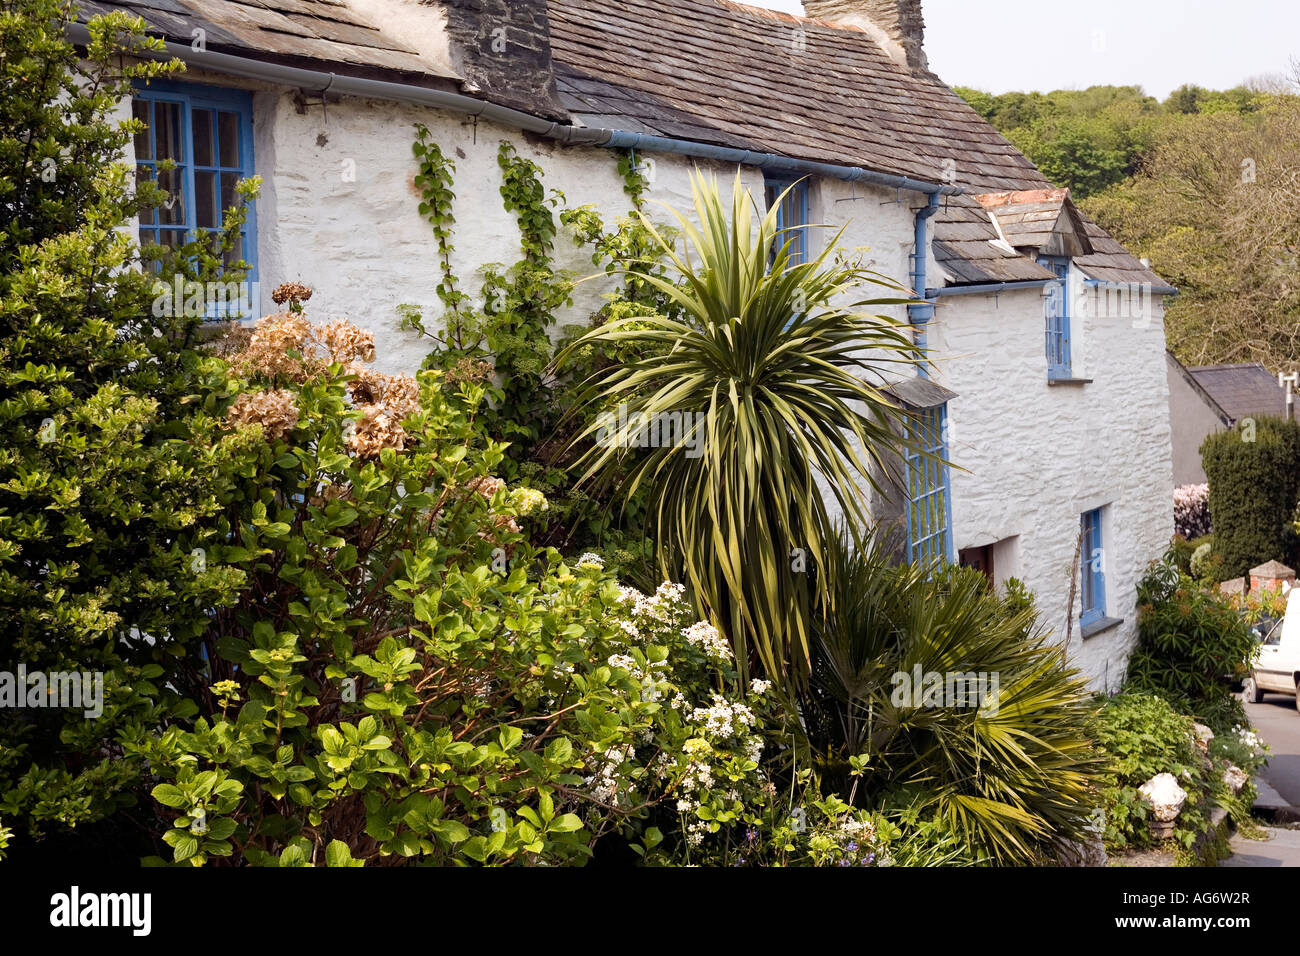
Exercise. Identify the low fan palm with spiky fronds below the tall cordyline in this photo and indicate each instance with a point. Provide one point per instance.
(1013, 775)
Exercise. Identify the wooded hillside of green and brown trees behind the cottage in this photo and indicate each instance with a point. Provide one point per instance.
(1204, 184)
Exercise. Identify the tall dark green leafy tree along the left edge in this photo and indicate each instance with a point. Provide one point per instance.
(107, 464)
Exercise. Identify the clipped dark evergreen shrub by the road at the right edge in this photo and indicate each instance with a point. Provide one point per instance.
(1254, 473)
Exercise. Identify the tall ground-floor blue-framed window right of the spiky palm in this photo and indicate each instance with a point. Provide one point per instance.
(930, 509)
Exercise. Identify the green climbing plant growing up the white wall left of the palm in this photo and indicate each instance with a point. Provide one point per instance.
(513, 332)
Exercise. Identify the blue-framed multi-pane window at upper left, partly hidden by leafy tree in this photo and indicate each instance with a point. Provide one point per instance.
(207, 133)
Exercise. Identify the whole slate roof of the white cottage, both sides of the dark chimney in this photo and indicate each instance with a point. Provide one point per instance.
(707, 71)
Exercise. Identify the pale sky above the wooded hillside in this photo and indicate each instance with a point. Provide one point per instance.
(1159, 45)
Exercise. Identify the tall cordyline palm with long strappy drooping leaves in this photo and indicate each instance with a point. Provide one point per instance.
(781, 364)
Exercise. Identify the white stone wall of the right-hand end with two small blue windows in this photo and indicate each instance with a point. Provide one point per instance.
(1038, 456)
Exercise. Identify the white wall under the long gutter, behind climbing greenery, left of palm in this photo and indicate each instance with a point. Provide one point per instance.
(365, 248)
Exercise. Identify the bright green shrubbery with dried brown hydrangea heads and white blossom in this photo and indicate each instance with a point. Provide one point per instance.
(408, 677)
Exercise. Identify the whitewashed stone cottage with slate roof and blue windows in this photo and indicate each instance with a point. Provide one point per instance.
(1047, 384)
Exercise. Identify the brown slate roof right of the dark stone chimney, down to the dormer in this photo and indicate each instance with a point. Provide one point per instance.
(730, 75)
